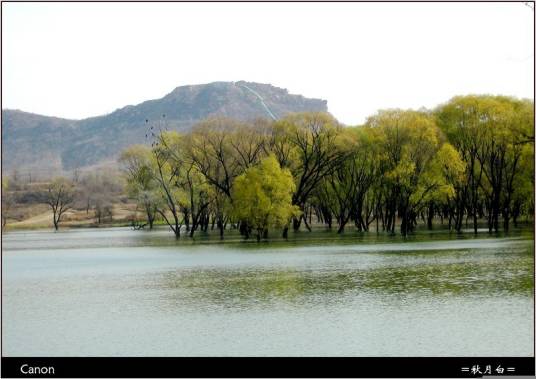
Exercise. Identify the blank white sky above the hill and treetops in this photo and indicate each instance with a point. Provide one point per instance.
(85, 59)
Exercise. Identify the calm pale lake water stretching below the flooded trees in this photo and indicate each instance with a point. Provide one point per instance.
(119, 292)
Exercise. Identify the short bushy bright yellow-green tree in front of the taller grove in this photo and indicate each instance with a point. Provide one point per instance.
(263, 197)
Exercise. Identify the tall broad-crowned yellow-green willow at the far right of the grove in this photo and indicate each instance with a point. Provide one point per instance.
(492, 134)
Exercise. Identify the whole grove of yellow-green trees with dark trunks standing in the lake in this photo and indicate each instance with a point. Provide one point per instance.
(471, 157)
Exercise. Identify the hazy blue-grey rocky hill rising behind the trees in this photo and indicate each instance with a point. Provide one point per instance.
(43, 145)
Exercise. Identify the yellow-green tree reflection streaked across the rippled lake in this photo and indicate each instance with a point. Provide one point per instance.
(252, 287)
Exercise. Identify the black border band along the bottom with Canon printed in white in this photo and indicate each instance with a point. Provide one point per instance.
(372, 367)
